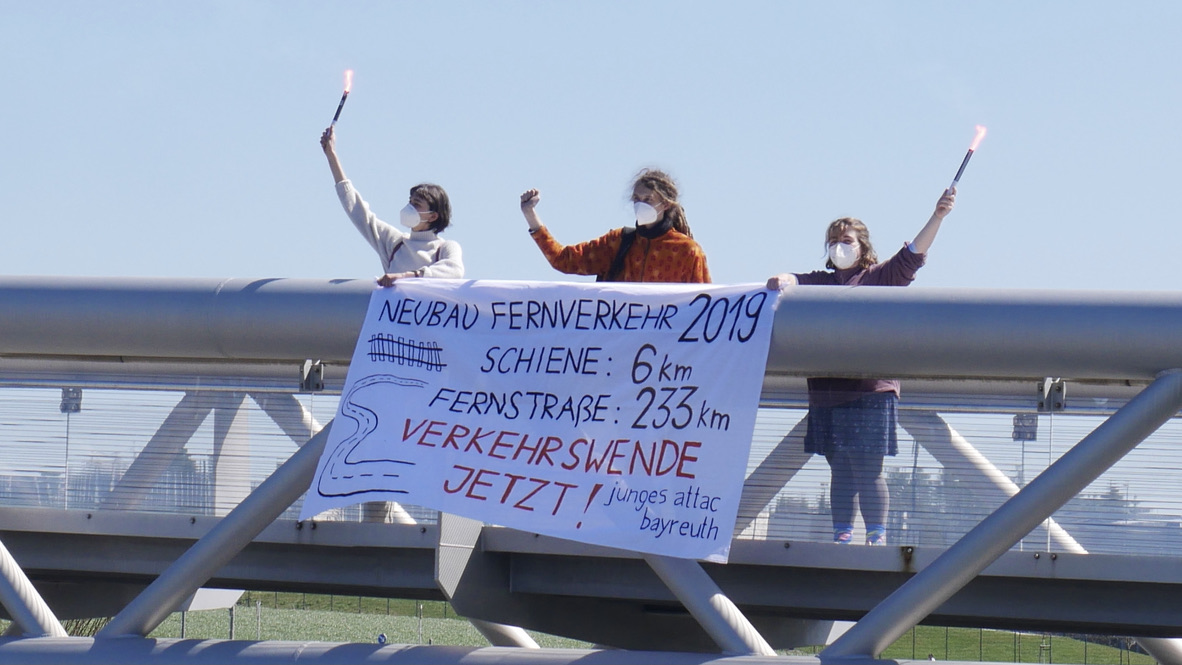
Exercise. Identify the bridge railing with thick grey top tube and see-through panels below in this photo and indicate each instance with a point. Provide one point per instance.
(183, 395)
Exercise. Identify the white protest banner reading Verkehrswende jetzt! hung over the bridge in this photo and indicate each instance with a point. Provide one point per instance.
(611, 414)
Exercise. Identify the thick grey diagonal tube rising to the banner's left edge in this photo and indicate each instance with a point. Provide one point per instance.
(235, 532)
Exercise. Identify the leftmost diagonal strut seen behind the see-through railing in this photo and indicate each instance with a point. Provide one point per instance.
(160, 452)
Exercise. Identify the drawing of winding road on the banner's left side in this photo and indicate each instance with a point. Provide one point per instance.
(362, 462)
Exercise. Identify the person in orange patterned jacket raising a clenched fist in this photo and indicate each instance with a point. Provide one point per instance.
(660, 250)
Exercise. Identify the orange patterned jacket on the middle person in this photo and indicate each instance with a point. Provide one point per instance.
(670, 258)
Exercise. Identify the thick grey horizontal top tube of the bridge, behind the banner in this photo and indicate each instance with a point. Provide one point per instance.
(820, 331)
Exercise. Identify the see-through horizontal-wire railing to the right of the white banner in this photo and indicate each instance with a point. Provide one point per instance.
(960, 461)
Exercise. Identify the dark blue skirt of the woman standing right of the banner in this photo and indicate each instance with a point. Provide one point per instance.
(866, 426)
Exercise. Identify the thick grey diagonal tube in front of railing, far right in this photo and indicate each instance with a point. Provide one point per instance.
(920, 596)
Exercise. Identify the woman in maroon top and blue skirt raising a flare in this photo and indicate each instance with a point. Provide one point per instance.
(853, 422)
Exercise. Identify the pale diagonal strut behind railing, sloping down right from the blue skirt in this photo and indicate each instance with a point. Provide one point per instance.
(958, 455)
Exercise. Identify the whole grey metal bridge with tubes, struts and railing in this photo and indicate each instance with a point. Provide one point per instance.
(158, 436)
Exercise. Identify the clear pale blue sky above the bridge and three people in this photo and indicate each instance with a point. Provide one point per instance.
(181, 139)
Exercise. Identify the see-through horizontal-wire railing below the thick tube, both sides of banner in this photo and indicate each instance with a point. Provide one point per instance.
(198, 449)
